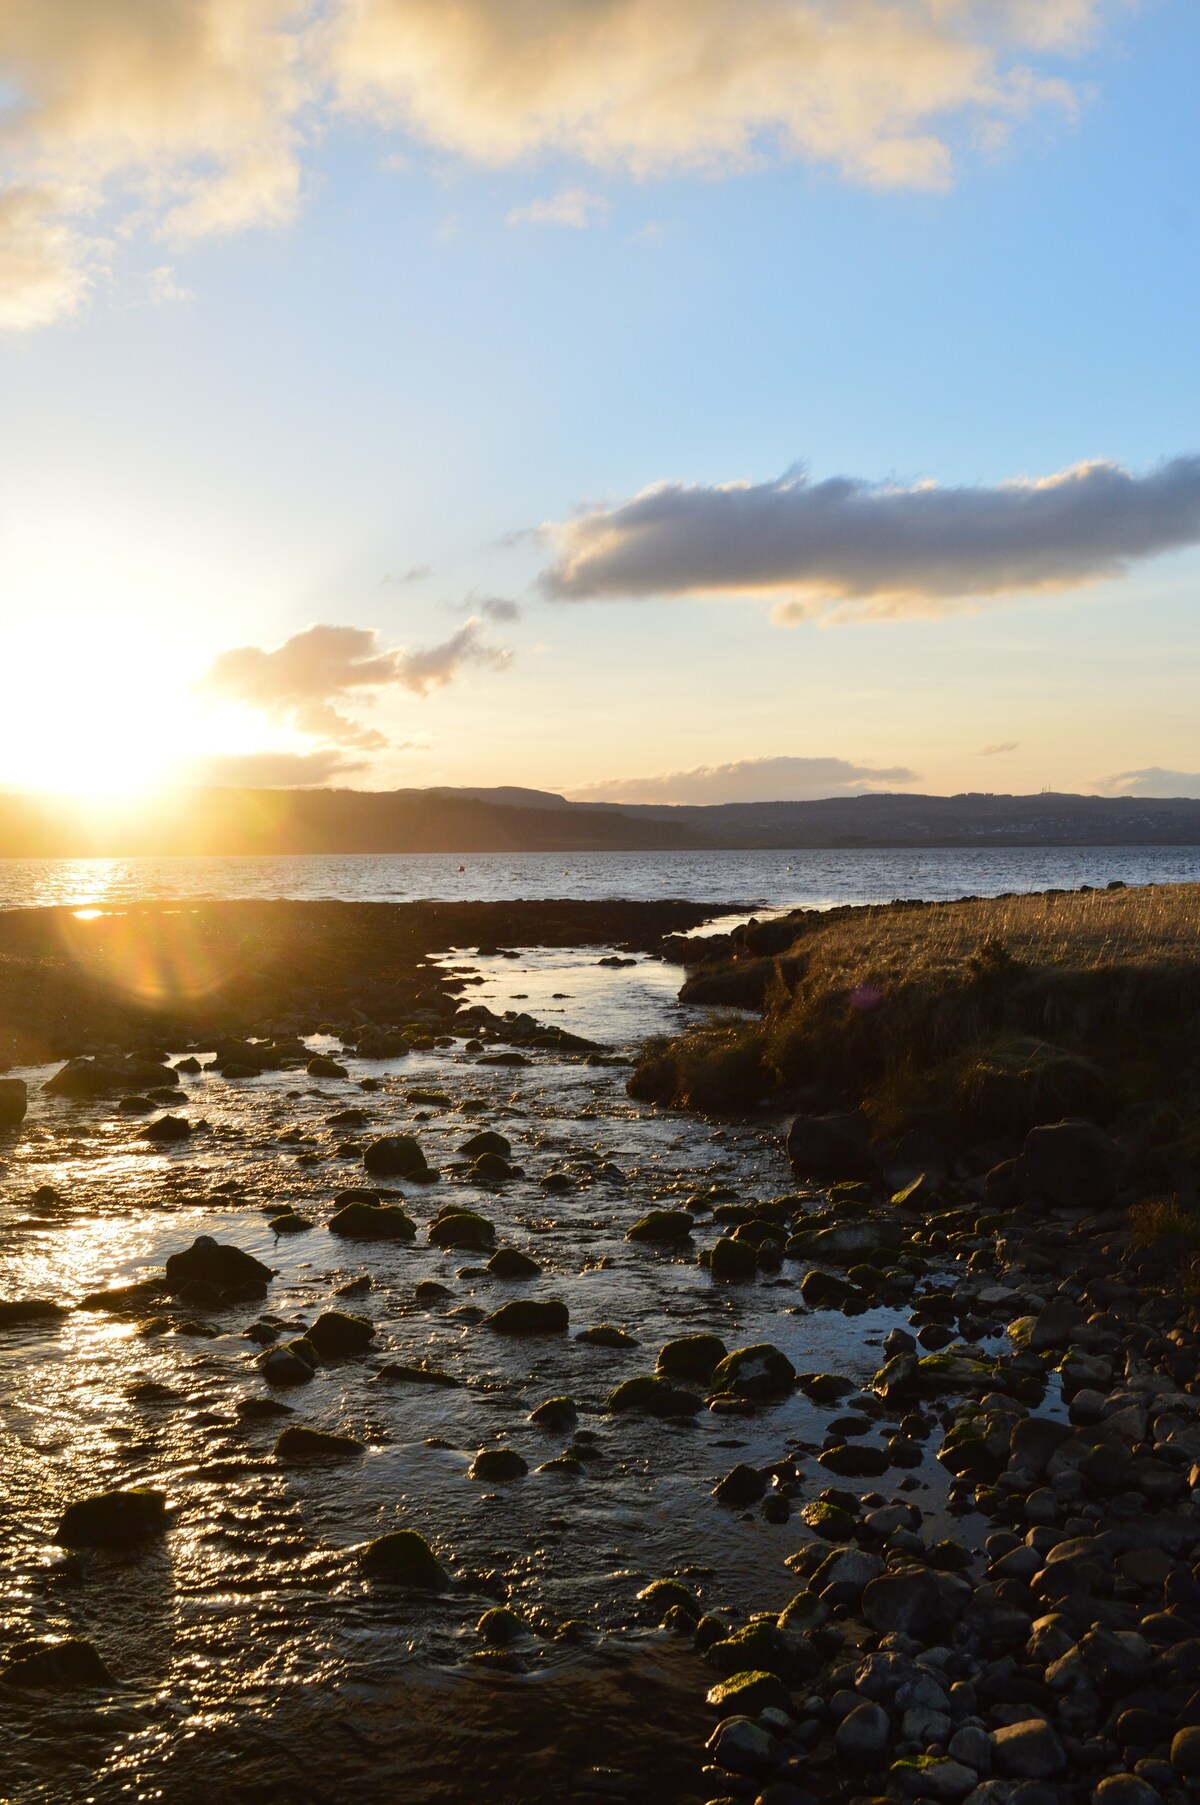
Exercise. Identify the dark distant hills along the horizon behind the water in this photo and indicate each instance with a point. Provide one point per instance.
(212, 822)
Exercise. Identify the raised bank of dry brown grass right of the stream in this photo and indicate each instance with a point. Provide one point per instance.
(972, 1019)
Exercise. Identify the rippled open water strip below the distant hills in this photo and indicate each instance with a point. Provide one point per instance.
(759, 880)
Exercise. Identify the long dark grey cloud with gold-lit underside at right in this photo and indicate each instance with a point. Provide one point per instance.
(845, 548)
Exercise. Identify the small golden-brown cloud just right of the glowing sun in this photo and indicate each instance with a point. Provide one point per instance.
(300, 681)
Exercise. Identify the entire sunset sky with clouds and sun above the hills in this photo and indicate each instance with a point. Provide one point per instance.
(643, 400)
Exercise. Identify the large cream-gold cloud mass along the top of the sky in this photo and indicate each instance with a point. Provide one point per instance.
(187, 118)
